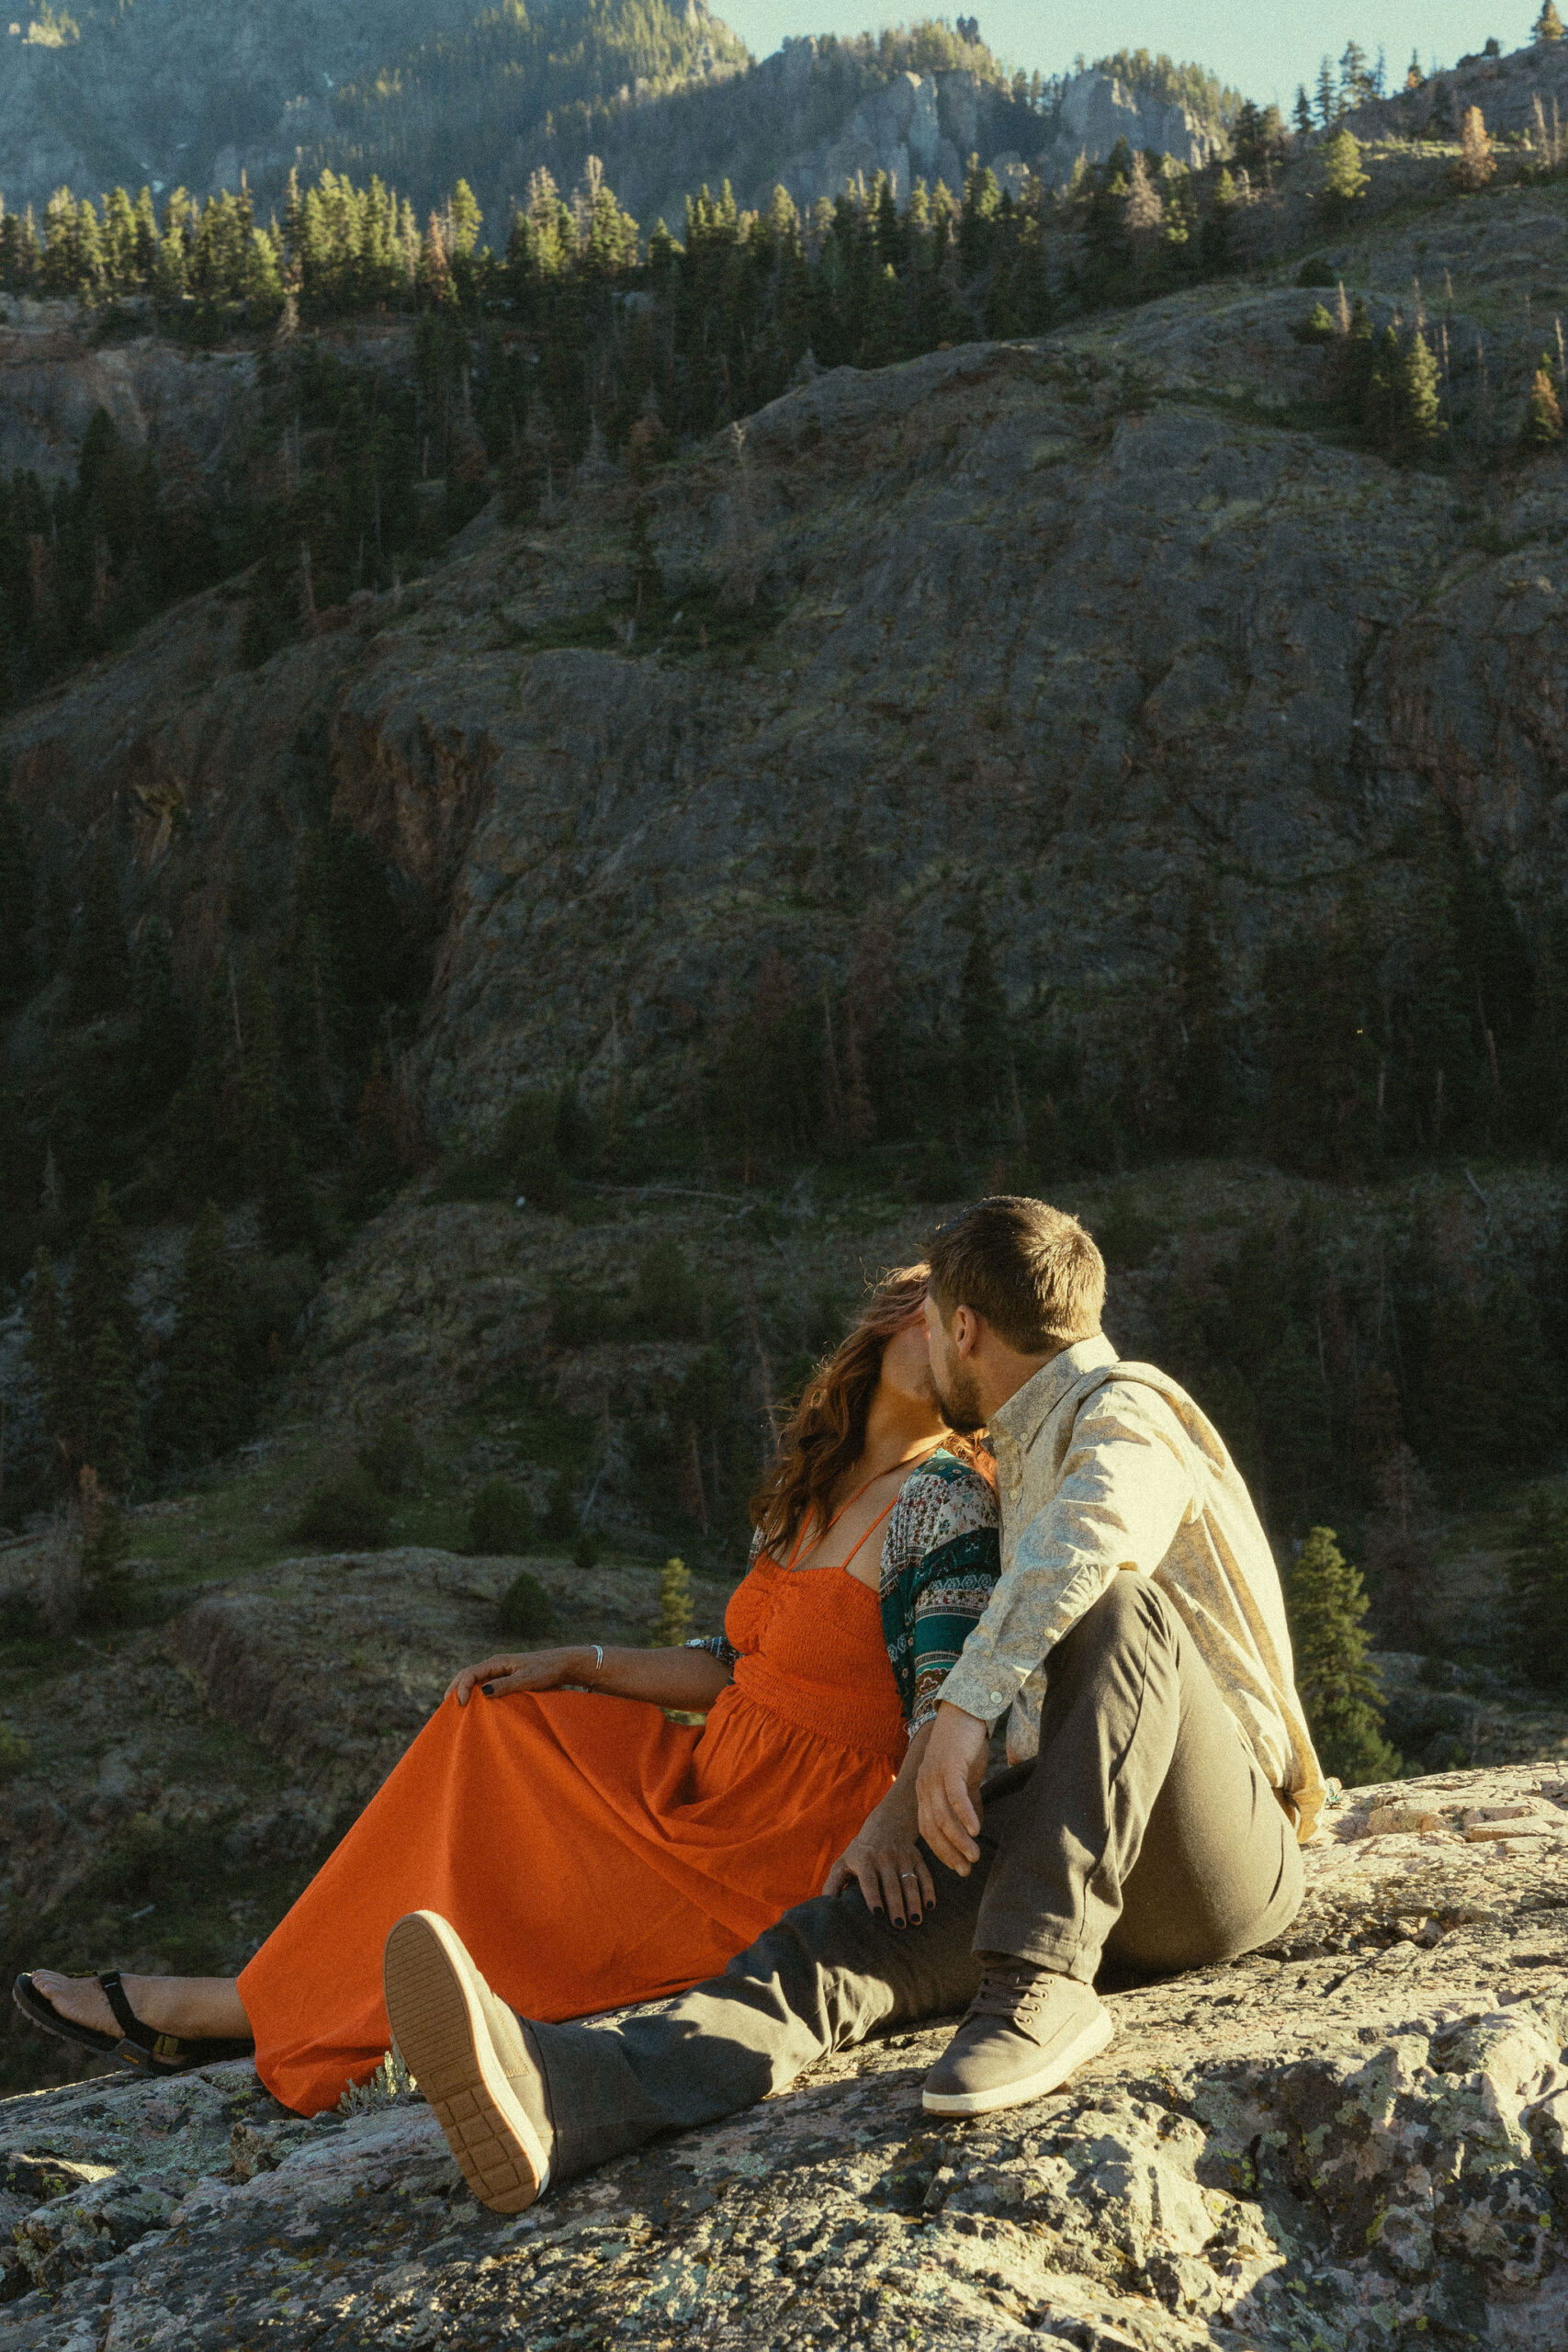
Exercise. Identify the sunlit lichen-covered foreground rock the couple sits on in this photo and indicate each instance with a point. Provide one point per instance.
(1358, 2134)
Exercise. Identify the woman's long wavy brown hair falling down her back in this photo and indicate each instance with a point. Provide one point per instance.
(826, 1431)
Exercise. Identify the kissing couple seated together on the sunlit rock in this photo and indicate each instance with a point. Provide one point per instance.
(826, 1857)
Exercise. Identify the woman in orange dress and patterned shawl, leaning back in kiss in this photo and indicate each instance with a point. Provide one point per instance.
(589, 1850)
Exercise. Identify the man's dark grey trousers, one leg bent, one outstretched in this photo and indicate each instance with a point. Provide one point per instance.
(1141, 1840)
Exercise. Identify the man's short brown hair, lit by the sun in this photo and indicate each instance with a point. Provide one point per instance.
(1028, 1269)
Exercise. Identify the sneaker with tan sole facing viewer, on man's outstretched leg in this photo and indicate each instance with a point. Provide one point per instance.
(474, 2062)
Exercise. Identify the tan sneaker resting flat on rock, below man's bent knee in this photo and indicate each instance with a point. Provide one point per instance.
(1026, 2031)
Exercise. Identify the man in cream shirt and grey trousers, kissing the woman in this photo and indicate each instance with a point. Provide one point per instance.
(1160, 1775)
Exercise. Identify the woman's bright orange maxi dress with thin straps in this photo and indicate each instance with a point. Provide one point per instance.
(589, 1850)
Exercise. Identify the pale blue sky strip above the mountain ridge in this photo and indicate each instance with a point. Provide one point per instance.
(1266, 51)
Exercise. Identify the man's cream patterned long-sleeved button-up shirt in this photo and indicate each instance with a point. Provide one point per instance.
(1106, 1466)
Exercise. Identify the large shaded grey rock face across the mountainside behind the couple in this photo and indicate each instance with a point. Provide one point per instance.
(1057, 632)
